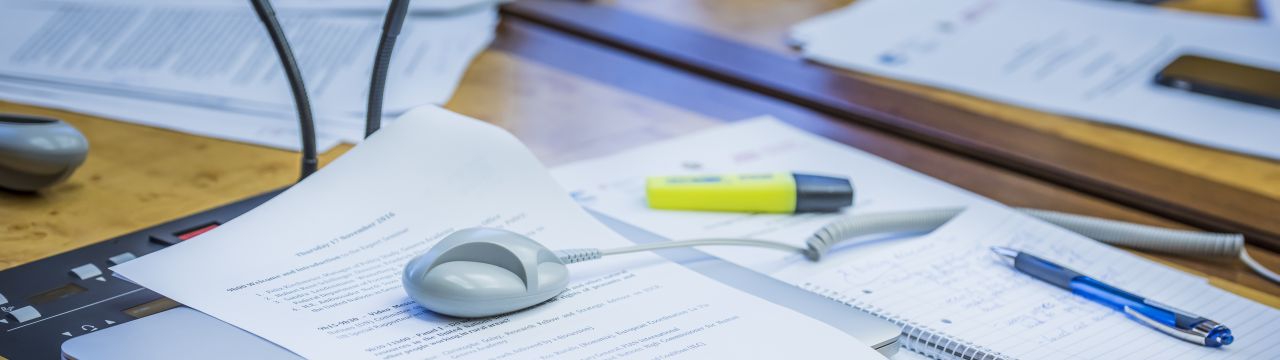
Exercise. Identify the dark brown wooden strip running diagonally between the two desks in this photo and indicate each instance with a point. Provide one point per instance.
(1137, 184)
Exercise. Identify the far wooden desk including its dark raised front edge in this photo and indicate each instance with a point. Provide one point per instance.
(743, 43)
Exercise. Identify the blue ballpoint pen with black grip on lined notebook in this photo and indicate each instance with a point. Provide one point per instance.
(1164, 318)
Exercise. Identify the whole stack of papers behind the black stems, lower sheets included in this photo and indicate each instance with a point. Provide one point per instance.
(209, 69)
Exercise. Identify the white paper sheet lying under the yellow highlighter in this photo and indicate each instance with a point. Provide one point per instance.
(615, 185)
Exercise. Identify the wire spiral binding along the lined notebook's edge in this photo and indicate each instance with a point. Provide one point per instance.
(917, 338)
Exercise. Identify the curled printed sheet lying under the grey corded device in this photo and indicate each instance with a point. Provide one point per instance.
(318, 270)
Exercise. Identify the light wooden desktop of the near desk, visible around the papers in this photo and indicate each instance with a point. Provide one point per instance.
(565, 98)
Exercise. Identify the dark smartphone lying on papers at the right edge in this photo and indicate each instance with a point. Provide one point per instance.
(1224, 80)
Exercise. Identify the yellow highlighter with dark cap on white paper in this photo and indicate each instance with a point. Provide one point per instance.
(765, 193)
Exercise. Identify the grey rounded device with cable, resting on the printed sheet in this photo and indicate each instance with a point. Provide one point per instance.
(484, 272)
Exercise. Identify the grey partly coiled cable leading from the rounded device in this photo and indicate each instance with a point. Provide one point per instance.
(854, 229)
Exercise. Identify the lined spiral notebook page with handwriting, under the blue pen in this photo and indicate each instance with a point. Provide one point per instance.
(953, 284)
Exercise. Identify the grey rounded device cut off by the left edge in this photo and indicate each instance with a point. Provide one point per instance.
(36, 153)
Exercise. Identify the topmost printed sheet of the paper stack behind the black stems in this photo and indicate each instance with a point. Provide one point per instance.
(220, 56)
